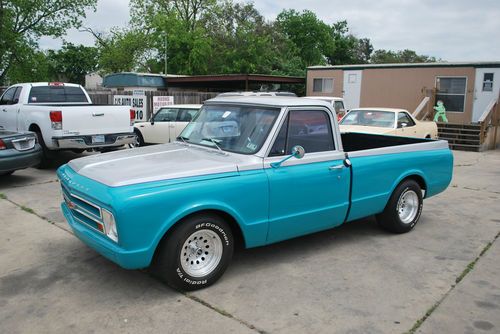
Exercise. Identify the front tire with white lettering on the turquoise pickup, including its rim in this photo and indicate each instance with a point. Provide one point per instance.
(196, 253)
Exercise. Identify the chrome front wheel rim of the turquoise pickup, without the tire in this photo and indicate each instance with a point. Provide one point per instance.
(201, 253)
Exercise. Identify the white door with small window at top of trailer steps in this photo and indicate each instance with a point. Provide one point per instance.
(485, 90)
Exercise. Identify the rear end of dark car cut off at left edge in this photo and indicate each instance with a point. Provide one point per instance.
(18, 150)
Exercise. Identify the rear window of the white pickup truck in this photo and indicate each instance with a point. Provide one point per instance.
(57, 94)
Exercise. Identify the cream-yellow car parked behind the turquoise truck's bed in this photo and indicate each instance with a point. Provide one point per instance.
(397, 122)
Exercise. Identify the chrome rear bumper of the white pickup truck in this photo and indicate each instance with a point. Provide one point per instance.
(85, 142)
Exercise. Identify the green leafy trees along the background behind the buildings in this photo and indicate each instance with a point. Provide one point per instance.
(200, 37)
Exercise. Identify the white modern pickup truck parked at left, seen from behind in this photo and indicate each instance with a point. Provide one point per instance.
(63, 117)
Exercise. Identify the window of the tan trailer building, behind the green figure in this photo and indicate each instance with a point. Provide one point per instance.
(451, 90)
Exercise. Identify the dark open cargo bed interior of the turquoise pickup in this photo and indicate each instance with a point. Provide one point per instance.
(355, 141)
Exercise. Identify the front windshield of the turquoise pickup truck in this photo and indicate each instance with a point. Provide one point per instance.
(231, 128)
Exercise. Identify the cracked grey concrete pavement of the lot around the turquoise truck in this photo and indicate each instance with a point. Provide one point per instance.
(443, 277)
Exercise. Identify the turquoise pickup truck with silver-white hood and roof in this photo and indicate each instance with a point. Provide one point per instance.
(246, 171)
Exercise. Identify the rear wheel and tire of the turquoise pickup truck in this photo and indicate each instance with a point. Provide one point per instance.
(404, 208)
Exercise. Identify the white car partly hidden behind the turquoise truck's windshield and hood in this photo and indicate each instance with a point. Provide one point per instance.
(165, 125)
